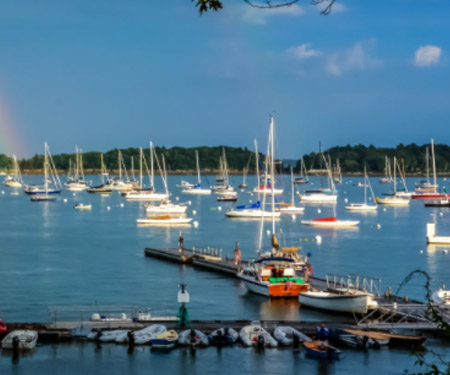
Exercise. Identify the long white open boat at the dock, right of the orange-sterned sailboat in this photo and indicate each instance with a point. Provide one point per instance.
(348, 303)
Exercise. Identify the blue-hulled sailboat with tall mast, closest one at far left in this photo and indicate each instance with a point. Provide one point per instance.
(45, 193)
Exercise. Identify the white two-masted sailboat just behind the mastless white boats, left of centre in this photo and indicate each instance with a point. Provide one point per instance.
(148, 194)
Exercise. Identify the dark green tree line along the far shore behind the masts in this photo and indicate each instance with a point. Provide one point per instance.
(351, 158)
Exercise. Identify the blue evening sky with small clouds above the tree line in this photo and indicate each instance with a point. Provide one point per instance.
(109, 74)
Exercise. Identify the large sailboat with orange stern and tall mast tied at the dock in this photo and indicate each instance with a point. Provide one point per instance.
(282, 272)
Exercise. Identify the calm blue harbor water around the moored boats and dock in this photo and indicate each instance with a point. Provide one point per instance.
(53, 255)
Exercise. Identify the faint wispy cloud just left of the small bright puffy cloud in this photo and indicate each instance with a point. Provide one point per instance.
(354, 58)
